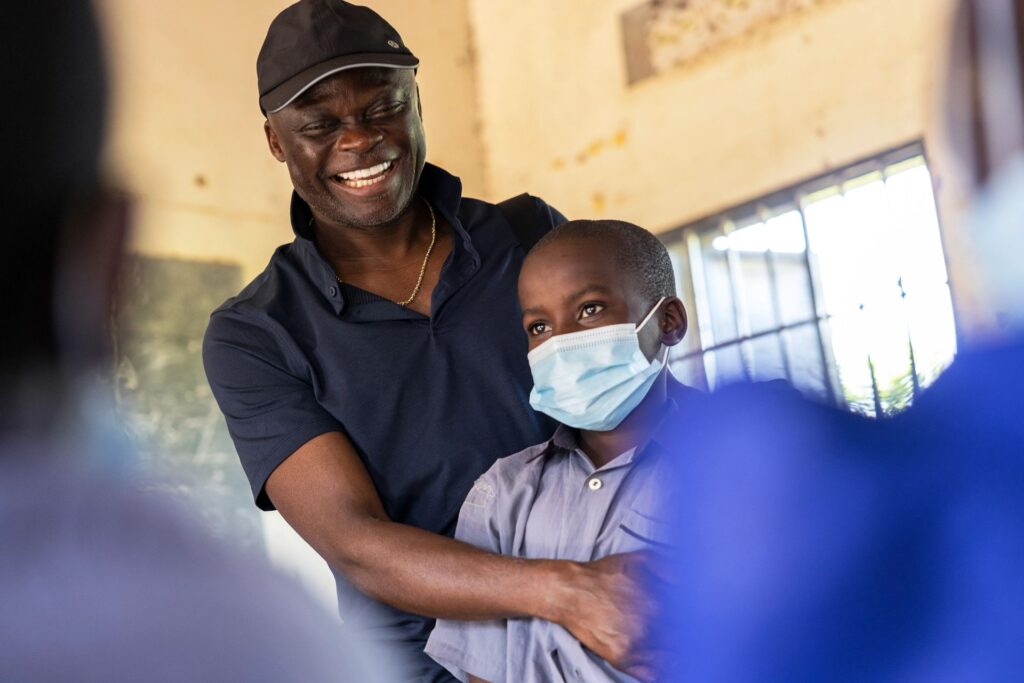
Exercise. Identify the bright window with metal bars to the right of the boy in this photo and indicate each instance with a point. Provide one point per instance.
(838, 285)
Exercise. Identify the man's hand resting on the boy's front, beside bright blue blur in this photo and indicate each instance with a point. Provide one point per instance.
(615, 622)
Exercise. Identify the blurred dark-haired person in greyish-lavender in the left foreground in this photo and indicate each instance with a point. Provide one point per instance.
(98, 582)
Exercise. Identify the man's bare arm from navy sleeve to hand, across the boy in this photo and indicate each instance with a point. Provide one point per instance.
(326, 494)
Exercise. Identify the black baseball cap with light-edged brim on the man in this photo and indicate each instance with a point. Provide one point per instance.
(314, 39)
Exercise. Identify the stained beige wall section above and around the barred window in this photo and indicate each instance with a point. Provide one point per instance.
(800, 97)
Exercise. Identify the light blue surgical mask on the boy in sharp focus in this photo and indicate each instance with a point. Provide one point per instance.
(593, 379)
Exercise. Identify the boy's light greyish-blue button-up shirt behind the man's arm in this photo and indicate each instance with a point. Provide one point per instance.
(549, 502)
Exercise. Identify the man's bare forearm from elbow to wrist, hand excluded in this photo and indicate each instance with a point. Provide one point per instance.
(432, 575)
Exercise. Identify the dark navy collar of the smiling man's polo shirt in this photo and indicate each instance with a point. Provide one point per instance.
(443, 190)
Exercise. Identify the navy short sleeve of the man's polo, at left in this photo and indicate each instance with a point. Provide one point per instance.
(269, 405)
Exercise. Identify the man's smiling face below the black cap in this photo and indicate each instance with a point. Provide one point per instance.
(355, 146)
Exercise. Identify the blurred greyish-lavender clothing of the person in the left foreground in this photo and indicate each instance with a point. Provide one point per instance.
(102, 580)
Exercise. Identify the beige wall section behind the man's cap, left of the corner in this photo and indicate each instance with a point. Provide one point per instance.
(187, 134)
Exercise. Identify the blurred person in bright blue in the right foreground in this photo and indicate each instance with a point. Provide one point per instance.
(822, 546)
